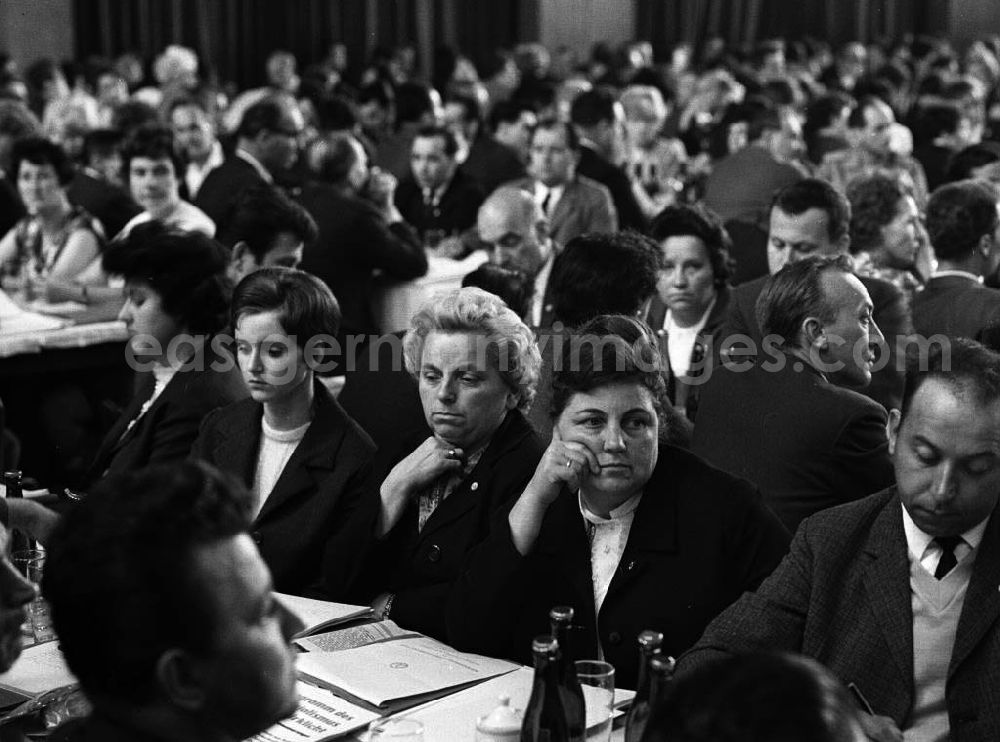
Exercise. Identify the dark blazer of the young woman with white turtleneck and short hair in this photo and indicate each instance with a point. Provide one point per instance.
(316, 525)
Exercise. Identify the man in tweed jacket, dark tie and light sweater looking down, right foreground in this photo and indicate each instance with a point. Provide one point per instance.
(883, 591)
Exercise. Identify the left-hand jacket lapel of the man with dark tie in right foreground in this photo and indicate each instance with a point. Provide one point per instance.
(887, 582)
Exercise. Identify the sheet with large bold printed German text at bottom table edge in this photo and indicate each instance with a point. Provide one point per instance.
(320, 716)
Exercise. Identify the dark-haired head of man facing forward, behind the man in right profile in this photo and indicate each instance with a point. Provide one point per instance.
(808, 218)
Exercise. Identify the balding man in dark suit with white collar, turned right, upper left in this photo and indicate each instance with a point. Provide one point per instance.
(267, 143)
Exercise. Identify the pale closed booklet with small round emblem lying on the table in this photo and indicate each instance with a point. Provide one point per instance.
(389, 671)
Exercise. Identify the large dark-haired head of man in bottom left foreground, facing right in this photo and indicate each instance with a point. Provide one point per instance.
(164, 607)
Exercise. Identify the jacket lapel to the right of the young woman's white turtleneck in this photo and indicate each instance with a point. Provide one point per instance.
(313, 458)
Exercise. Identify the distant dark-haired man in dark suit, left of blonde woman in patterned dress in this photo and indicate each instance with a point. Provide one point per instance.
(599, 119)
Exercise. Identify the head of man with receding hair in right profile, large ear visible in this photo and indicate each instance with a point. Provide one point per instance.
(817, 310)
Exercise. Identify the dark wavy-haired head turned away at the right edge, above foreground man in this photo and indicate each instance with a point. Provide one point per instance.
(964, 227)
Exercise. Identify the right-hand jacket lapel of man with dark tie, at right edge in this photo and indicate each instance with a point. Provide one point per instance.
(982, 601)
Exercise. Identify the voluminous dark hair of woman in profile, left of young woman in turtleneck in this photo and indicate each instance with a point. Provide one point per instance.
(187, 270)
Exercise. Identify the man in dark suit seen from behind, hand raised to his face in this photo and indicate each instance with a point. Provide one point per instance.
(357, 235)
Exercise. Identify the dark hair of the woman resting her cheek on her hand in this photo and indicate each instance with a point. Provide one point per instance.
(608, 349)
